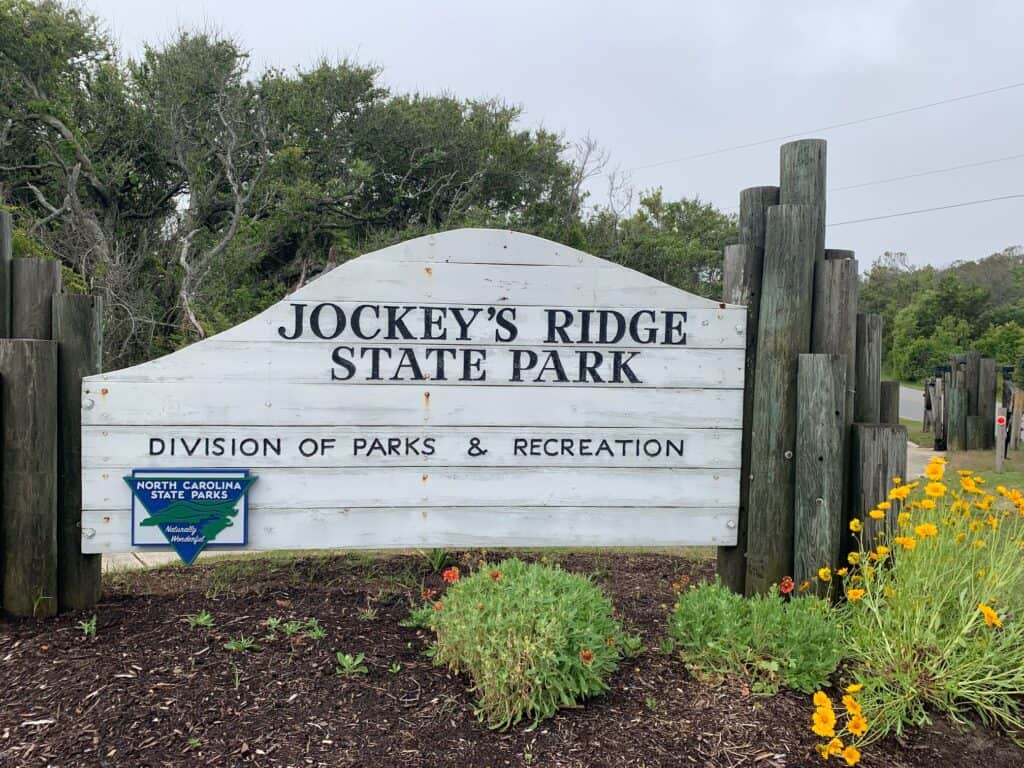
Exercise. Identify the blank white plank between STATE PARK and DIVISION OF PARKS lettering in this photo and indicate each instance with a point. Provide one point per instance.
(240, 404)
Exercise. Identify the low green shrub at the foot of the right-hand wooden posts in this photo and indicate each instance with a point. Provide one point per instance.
(767, 639)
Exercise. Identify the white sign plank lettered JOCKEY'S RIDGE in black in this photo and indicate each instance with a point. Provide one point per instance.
(705, 328)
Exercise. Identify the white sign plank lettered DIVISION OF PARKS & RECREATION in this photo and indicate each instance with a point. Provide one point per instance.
(403, 447)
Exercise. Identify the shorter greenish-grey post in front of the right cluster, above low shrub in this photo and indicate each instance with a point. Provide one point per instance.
(822, 450)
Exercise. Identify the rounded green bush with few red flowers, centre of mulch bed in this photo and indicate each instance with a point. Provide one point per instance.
(532, 637)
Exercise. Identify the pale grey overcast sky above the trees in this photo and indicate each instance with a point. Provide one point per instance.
(656, 81)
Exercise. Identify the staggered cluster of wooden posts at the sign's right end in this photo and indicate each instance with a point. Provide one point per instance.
(822, 440)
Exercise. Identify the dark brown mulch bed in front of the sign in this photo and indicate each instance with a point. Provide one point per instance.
(150, 691)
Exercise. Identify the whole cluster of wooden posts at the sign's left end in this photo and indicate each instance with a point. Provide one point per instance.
(49, 342)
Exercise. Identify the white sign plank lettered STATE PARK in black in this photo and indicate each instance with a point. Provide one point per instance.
(282, 361)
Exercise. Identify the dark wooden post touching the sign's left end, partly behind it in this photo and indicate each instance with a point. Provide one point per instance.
(77, 329)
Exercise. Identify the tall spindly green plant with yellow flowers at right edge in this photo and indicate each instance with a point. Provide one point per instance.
(932, 619)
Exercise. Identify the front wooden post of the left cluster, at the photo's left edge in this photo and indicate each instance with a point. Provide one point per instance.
(29, 488)
